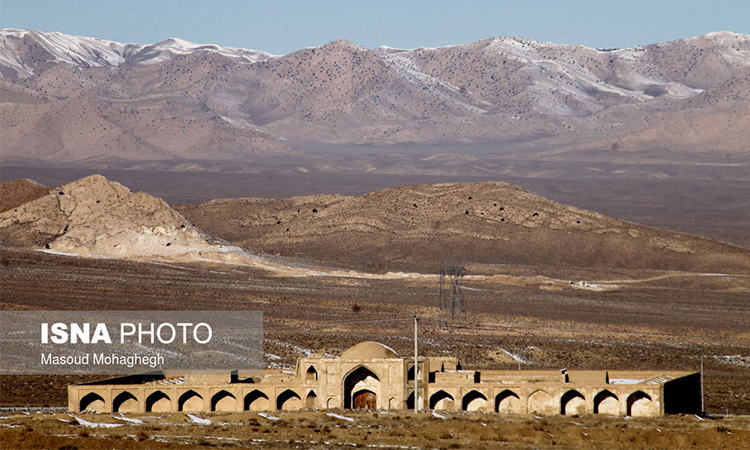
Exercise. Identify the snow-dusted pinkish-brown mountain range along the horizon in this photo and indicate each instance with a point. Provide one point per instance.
(67, 99)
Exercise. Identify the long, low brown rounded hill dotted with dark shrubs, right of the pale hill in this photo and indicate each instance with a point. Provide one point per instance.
(420, 227)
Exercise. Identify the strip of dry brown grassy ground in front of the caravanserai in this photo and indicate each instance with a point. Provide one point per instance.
(373, 429)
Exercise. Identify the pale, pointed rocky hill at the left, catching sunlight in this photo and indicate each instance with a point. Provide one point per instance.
(100, 218)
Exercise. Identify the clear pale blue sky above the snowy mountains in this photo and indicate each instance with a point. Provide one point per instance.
(278, 26)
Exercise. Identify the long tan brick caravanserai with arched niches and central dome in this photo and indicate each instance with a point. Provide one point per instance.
(370, 375)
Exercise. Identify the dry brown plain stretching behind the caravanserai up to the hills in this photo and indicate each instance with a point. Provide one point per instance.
(649, 321)
